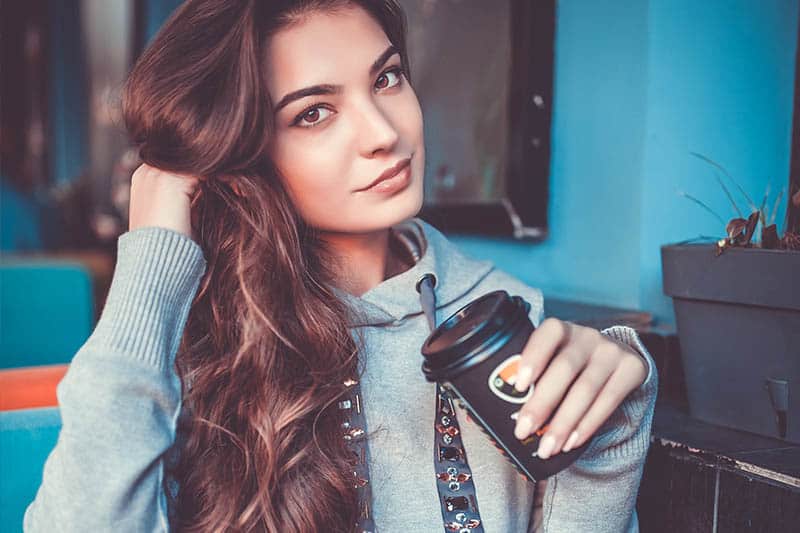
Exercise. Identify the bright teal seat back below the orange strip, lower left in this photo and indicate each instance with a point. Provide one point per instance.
(27, 436)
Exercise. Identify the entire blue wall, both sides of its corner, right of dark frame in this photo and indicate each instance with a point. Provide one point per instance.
(638, 86)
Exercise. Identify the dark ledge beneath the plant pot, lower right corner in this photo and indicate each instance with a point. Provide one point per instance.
(701, 477)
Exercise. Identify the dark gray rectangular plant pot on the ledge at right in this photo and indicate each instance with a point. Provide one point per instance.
(738, 320)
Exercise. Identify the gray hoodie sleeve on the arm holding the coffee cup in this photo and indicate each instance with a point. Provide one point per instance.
(598, 492)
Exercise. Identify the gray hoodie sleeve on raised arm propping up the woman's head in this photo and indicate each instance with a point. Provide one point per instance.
(121, 397)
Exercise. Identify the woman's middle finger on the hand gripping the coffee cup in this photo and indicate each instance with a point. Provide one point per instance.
(549, 390)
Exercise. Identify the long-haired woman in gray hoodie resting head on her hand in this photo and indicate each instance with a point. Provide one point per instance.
(267, 265)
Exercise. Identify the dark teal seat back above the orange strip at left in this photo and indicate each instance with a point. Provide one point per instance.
(46, 311)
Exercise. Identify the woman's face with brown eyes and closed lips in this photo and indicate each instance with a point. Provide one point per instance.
(355, 117)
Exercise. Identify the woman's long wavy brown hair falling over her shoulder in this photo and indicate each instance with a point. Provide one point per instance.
(267, 345)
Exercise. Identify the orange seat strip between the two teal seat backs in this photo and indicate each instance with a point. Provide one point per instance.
(35, 386)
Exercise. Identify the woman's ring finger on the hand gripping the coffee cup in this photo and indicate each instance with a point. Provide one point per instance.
(582, 394)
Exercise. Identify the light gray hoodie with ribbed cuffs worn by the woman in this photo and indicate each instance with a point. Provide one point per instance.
(120, 401)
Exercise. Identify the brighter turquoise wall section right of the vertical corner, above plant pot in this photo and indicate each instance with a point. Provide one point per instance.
(720, 82)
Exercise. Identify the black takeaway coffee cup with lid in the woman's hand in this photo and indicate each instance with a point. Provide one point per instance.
(474, 354)
